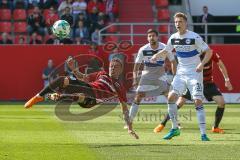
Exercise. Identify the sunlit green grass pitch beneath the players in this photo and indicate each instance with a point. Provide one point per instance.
(37, 134)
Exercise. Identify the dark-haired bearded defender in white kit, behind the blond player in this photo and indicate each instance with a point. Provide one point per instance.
(150, 81)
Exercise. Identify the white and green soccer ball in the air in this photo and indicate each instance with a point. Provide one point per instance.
(61, 29)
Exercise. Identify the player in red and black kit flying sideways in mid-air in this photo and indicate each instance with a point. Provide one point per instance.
(86, 90)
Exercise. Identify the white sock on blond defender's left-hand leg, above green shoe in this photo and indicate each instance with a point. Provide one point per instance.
(172, 111)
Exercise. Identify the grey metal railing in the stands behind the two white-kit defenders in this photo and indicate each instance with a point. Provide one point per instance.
(170, 27)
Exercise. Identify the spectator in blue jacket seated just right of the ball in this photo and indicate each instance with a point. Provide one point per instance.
(82, 32)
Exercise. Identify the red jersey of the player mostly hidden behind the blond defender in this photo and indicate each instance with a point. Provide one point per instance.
(208, 68)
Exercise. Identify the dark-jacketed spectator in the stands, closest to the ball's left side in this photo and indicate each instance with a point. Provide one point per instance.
(36, 22)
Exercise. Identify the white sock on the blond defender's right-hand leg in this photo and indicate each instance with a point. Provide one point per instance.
(201, 119)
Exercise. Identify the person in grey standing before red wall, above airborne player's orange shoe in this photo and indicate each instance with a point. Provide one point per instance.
(48, 73)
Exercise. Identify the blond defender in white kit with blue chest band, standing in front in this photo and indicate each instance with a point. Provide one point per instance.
(188, 46)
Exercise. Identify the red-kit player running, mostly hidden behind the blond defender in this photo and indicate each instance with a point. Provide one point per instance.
(211, 93)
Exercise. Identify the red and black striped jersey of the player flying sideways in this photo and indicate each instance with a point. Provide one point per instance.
(105, 87)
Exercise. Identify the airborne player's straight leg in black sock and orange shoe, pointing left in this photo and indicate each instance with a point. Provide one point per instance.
(59, 82)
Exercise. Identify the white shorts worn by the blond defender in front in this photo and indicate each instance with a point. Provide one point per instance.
(193, 82)
